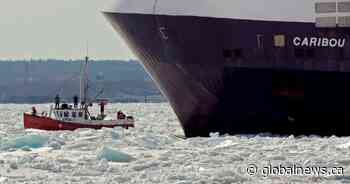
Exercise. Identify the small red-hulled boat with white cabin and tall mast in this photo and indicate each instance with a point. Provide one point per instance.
(71, 117)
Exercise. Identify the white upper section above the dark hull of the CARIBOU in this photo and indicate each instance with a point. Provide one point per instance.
(269, 10)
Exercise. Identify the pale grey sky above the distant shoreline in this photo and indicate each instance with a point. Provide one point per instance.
(60, 29)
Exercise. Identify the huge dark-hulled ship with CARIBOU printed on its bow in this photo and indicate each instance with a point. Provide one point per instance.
(245, 66)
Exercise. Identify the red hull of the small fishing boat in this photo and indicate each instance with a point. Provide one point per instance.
(45, 123)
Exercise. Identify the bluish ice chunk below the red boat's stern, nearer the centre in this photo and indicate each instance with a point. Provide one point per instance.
(114, 155)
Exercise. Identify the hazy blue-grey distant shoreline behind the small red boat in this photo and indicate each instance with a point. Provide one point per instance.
(39, 81)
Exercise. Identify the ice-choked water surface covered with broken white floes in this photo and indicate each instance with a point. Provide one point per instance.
(150, 153)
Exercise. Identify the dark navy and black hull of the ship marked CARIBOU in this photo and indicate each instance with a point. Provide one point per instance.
(258, 89)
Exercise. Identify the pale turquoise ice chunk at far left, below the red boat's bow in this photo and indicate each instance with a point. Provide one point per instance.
(25, 142)
